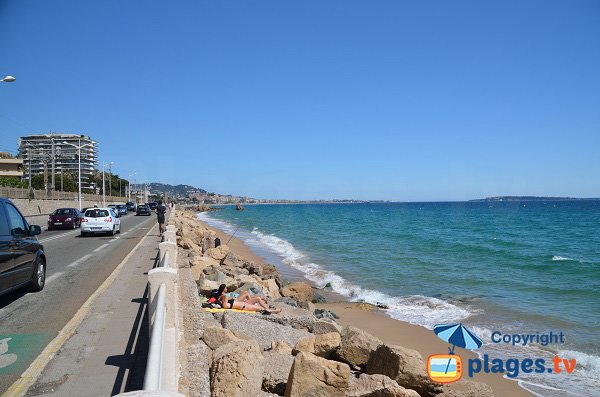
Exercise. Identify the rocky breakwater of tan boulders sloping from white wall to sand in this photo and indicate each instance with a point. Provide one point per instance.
(298, 352)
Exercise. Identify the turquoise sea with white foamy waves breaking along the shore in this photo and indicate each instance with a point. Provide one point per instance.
(500, 268)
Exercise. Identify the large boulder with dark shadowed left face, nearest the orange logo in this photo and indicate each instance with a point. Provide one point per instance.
(403, 365)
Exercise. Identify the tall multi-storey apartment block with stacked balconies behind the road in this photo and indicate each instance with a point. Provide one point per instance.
(38, 150)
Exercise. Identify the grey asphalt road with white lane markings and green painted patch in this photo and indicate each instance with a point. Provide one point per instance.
(76, 267)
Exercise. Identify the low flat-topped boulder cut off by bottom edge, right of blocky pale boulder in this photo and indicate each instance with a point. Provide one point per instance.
(364, 385)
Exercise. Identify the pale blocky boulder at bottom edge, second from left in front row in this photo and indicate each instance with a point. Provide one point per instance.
(317, 377)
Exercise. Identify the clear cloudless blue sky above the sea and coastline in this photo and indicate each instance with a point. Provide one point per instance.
(399, 100)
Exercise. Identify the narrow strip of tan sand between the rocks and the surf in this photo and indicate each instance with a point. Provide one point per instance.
(376, 322)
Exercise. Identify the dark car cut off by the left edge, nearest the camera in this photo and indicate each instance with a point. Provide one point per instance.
(22, 257)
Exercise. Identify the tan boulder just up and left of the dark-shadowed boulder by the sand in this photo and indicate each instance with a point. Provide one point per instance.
(356, 346)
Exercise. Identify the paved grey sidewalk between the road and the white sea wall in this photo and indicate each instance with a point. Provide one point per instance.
(107, 353)
